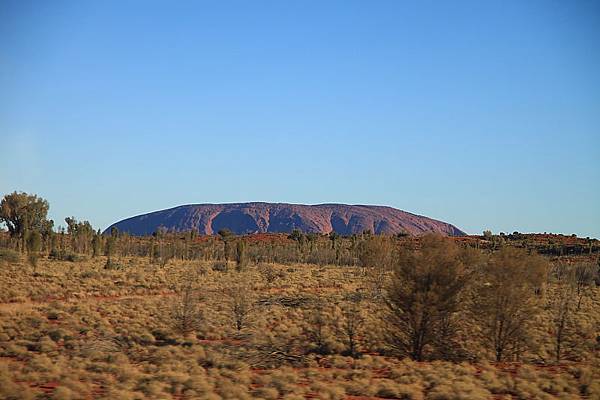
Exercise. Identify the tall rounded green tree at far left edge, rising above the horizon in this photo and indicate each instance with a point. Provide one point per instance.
(22, 212)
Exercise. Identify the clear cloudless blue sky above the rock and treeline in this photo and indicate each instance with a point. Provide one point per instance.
(483, 114)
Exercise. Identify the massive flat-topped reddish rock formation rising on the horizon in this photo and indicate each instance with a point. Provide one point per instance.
(243, 218)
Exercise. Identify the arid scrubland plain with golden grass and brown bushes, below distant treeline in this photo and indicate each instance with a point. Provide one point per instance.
(138, 328)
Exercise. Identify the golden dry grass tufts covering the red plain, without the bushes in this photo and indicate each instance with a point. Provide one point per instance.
(74, 330)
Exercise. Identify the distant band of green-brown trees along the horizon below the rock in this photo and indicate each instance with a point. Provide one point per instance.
(31, 232)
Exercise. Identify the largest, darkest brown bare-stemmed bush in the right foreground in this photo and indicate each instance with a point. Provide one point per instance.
(424, 296)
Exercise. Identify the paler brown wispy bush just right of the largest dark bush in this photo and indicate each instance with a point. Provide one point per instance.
(505, 301)
